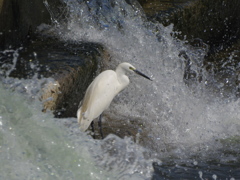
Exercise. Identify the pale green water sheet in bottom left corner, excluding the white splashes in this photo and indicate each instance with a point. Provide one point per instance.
(33, 146)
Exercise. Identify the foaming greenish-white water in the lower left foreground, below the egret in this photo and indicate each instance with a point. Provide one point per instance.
(35, 145)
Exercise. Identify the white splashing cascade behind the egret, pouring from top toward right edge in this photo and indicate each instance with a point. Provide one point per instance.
(173, 113)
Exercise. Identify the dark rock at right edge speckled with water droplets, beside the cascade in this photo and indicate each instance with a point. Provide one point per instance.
(225, 66)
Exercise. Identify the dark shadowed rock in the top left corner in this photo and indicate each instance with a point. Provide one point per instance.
(19, 19)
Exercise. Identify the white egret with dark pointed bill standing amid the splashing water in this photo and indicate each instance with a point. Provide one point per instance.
(101, 92)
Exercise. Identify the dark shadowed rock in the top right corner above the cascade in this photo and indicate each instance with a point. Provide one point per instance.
(217, 23)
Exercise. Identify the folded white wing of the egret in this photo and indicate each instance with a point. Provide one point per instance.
(98, 97)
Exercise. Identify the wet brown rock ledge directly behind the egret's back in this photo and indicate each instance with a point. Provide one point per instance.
(72, 66)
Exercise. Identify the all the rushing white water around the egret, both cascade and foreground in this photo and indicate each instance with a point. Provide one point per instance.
(186, 130)
